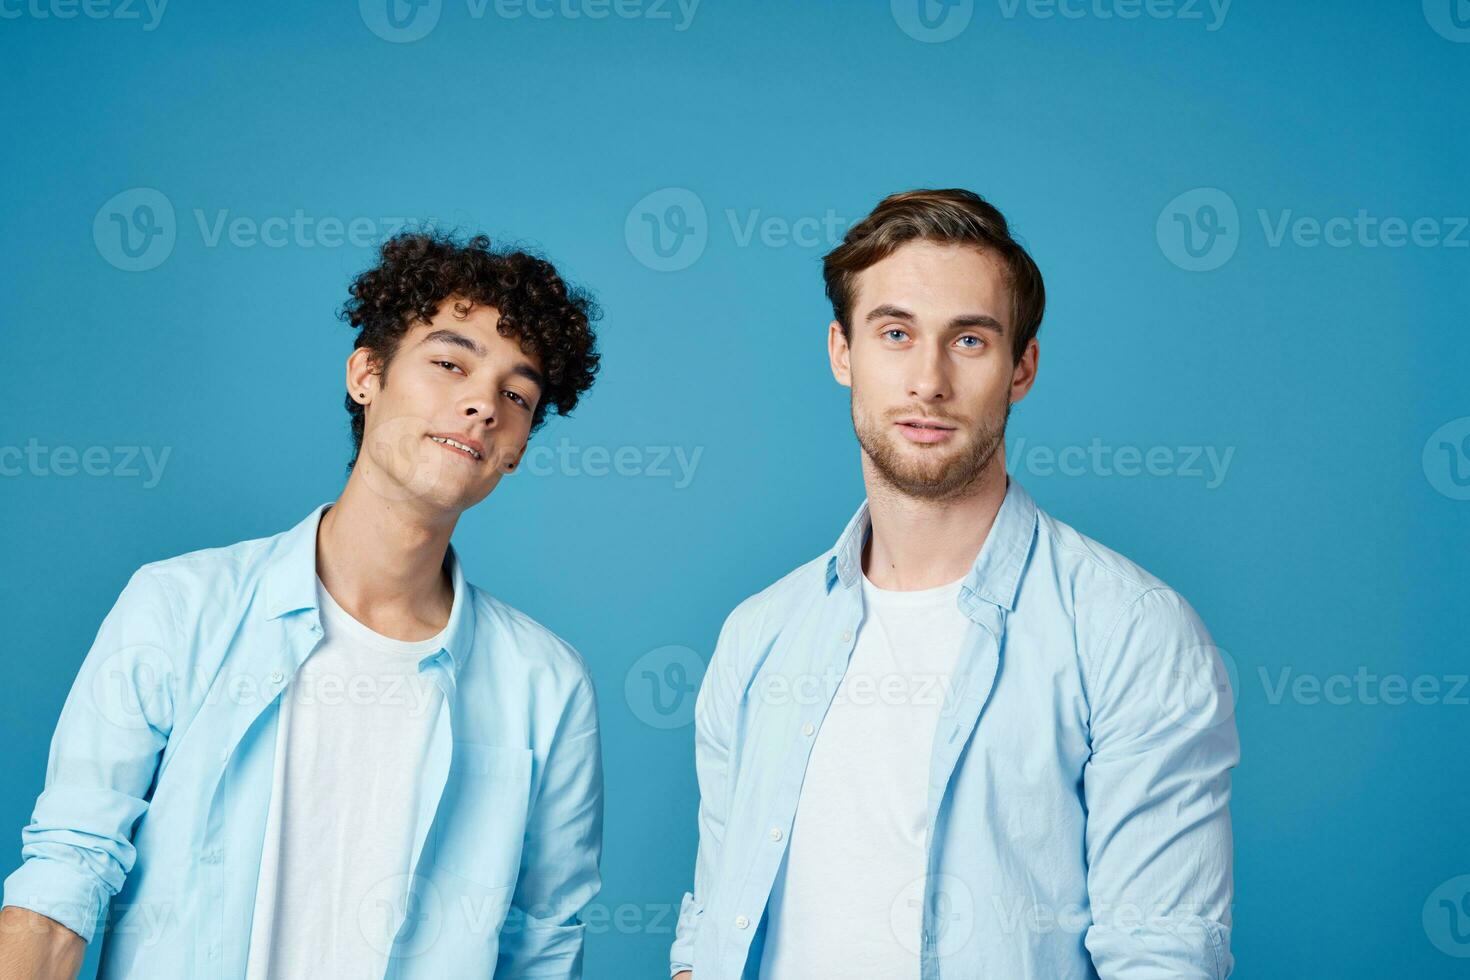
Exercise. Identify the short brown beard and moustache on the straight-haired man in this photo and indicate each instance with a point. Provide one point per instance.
(937, 474)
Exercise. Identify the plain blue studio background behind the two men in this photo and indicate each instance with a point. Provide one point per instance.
(1335, 543)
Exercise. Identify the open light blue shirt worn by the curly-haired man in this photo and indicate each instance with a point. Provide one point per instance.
(161, 769)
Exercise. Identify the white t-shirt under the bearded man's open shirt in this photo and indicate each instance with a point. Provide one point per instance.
(847, 898)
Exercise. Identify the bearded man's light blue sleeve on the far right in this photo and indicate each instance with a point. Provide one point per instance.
(1158, 788)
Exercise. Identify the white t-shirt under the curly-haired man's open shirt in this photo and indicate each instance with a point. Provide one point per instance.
(355, 732)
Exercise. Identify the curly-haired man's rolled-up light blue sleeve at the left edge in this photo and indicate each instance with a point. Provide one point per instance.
(77, 850)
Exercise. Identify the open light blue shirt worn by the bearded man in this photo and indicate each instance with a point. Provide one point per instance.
(1080, 778)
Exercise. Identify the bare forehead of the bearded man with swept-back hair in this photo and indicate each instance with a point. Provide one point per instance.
(937, 280)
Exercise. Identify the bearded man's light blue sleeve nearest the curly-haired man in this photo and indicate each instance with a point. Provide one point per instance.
(714, 727)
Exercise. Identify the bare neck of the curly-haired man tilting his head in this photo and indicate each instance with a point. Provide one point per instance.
(384, 563)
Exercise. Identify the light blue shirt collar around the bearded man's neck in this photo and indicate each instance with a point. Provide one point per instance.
(996, 574)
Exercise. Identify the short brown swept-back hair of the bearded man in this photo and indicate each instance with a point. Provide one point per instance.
(952, 217)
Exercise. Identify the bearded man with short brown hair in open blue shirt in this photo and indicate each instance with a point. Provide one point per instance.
(968, 741)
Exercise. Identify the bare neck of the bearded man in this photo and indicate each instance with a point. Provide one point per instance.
(922, 544)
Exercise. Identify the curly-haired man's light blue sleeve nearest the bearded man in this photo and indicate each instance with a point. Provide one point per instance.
(559, 876)
